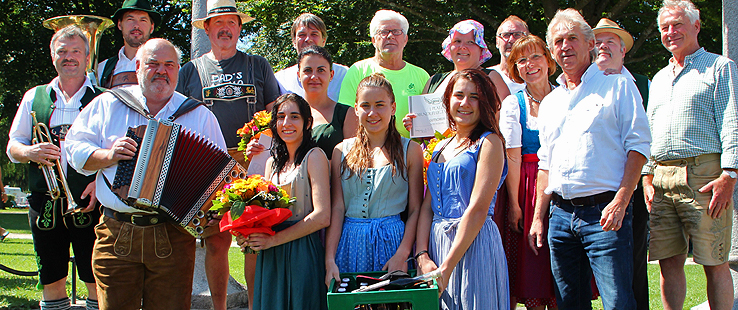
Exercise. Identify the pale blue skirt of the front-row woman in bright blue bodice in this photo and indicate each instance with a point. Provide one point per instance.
(479, 280)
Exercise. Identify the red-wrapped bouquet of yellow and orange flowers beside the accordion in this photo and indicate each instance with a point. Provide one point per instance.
(252, 205)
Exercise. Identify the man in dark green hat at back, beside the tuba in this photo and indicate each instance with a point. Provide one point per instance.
(136, 20)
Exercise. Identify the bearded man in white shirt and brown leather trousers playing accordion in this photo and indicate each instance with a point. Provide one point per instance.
(140, 259)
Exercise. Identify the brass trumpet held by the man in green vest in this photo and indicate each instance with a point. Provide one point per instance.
(54, 175)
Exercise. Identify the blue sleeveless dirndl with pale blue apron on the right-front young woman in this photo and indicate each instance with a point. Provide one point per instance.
(479, 280)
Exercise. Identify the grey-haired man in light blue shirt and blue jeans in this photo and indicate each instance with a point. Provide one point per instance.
(594, 141)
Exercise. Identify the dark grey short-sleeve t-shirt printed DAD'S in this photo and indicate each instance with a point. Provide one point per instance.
(232, 115)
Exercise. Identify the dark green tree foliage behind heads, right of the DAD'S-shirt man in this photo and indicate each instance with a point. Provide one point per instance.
(348, 23)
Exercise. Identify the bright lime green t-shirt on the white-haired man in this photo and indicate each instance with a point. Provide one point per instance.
(408, 81)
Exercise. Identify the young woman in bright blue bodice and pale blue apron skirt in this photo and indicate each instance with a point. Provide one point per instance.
(456, 233)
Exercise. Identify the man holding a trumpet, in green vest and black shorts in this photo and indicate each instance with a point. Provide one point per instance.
(57, 105)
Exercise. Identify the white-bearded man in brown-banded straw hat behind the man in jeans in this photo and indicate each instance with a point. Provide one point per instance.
(612, 42)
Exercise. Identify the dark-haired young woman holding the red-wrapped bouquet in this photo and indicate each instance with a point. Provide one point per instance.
(290, 265)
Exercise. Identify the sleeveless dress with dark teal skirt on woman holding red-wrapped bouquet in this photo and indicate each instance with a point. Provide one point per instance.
(290, 276)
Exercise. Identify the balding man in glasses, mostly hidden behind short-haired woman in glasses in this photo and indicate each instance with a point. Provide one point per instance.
(511, 29)
